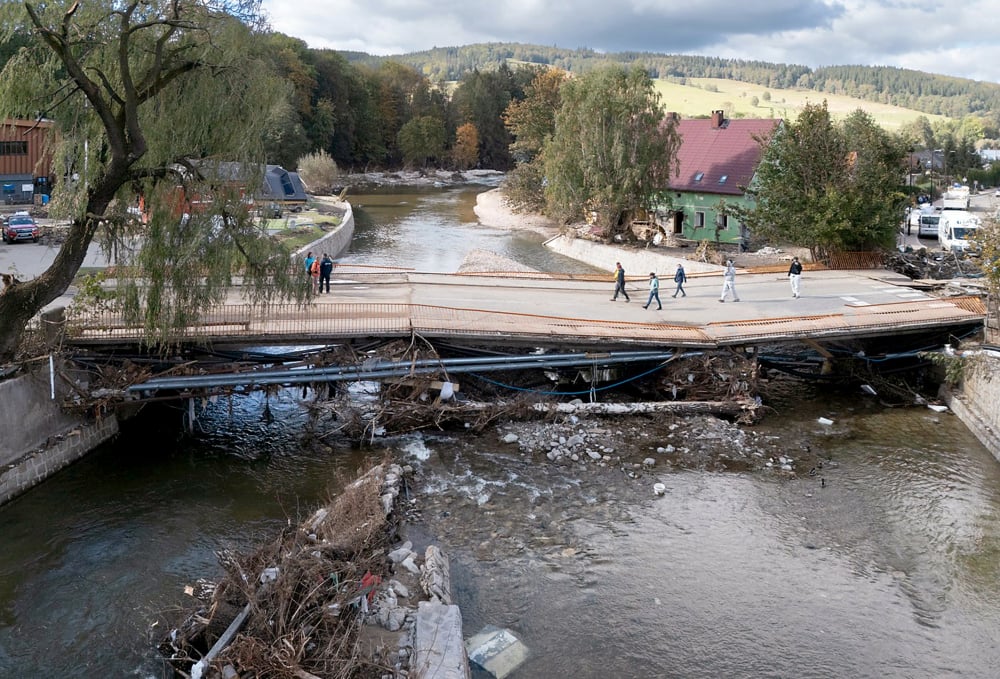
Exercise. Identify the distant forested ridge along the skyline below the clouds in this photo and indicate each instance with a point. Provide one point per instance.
(927, 92)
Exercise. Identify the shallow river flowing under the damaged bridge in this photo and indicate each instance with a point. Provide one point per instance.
(887, 568)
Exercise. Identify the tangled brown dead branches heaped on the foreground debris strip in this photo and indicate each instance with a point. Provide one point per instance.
(306, 592)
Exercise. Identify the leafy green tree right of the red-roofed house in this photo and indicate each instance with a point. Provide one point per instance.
(828, 187)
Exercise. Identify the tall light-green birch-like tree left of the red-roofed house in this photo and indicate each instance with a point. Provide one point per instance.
(612, 151)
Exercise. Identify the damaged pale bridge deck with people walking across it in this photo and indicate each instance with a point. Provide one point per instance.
(571, 310)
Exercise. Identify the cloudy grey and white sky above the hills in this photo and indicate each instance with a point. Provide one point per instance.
(954, 38)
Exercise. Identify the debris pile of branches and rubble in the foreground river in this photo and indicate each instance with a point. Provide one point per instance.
(310, 598)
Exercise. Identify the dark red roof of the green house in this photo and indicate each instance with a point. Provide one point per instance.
(729, 150)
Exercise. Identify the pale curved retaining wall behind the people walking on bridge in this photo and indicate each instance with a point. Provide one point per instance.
(635, 262)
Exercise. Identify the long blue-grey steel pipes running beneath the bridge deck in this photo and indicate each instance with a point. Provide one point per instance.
(381, 369)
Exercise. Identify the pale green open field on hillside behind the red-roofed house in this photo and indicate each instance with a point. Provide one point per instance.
(701, 96)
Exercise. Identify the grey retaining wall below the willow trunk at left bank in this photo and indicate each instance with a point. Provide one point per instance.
(38, 438)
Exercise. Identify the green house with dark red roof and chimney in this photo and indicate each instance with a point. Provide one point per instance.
(717, 160)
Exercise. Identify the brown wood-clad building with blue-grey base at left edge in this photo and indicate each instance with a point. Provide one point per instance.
(25, 160)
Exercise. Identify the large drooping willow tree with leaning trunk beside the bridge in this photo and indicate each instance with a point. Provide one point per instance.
(155, 102)
